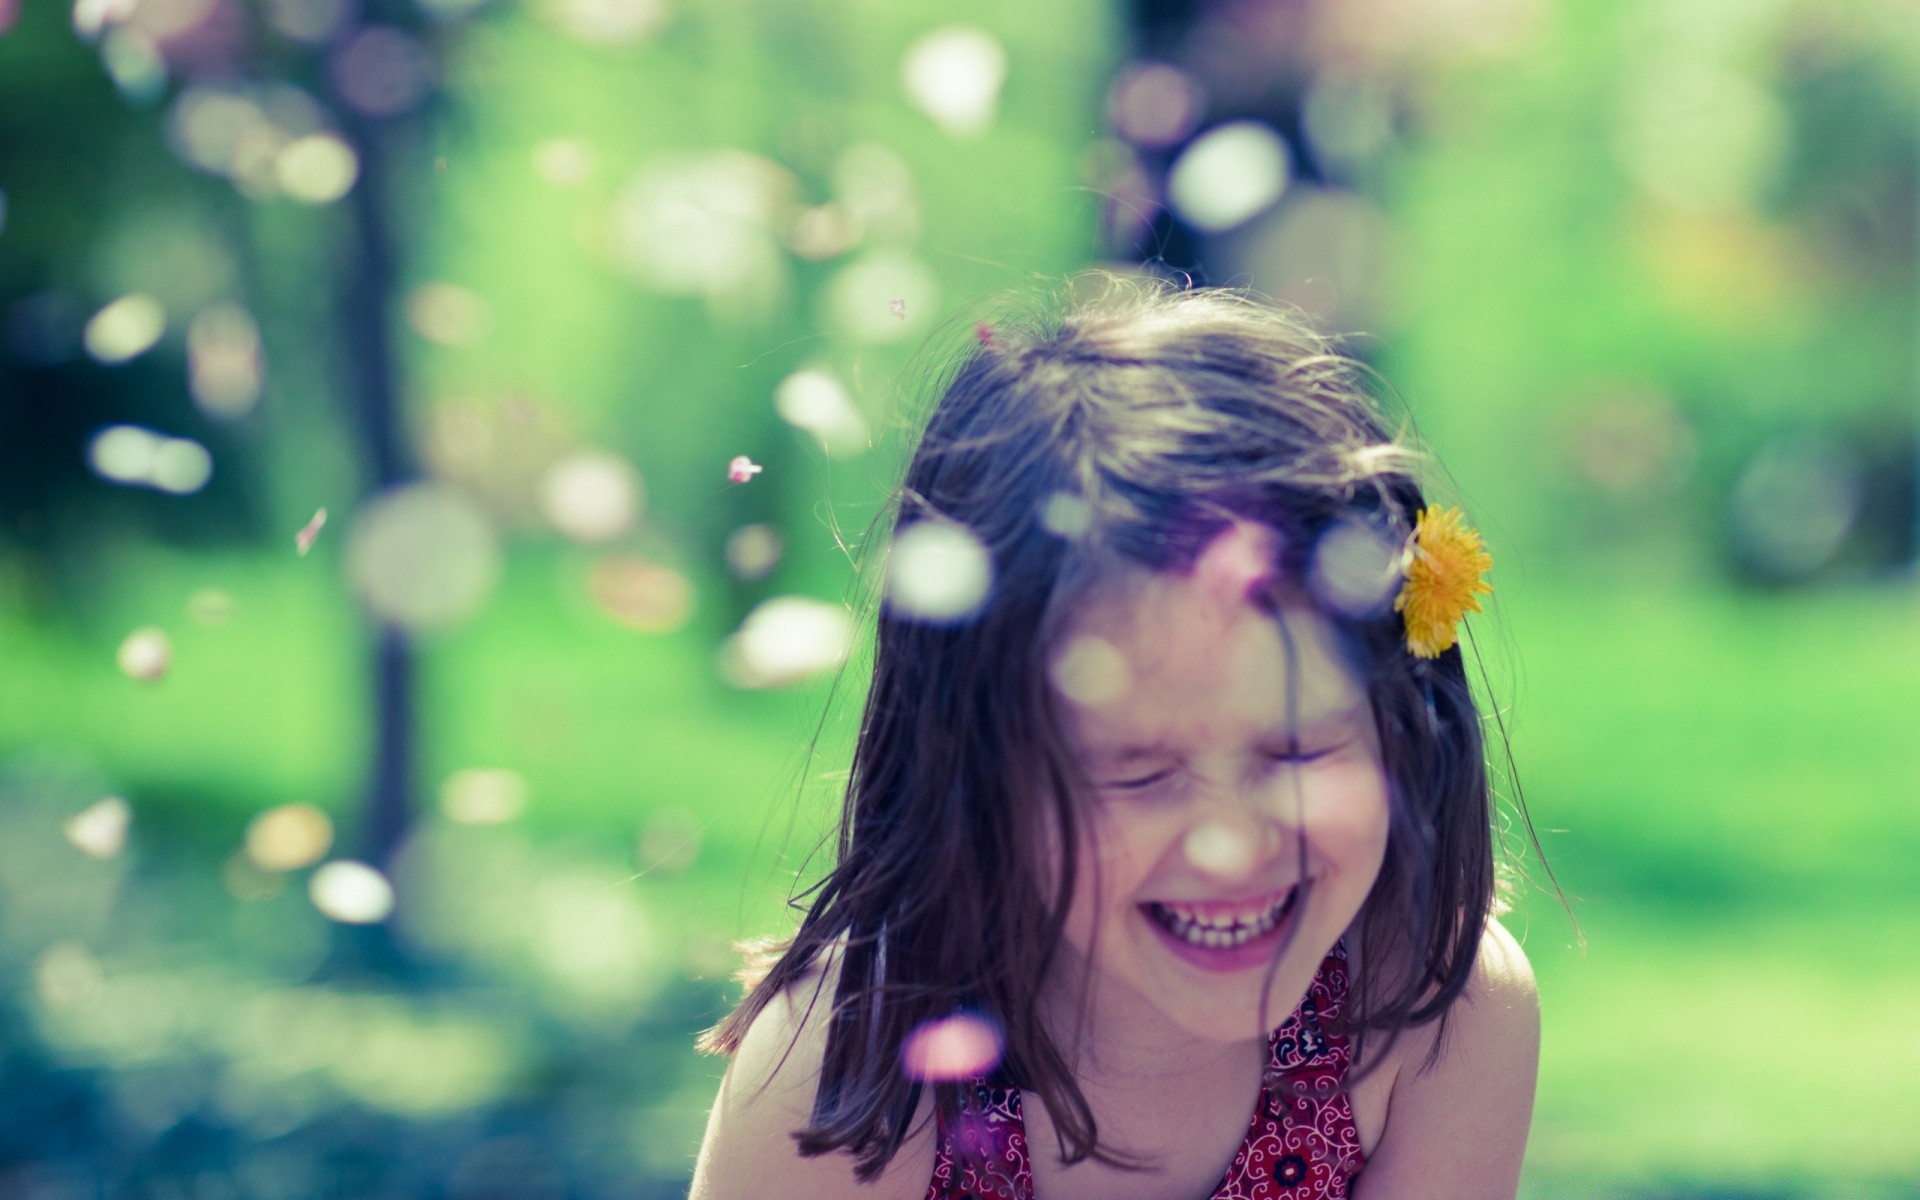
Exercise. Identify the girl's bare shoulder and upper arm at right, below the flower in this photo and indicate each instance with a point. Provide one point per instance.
(1460, 1128)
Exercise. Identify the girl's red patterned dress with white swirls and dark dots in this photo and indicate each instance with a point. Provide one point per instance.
(1303, 1143)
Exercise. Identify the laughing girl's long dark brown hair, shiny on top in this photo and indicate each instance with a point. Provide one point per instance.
(1130, 427)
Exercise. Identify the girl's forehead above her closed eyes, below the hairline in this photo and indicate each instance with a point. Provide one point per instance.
(1191, 665)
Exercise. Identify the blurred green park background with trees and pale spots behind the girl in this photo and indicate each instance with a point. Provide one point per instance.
(406, 861)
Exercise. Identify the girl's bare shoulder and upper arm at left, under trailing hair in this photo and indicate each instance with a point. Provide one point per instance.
(769, 1093)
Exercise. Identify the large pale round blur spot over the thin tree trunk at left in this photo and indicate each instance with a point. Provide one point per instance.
(423, 558)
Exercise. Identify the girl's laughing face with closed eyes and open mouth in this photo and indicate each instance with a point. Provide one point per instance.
(1216, 798)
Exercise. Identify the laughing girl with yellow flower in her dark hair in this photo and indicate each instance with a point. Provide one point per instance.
(1166, 871)
